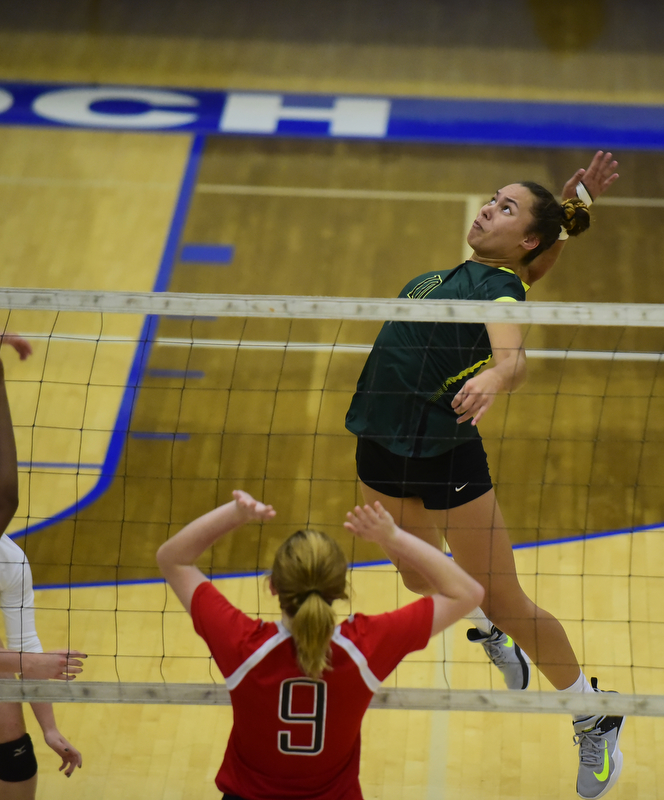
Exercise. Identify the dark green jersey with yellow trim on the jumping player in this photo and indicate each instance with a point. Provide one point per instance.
(404, 394)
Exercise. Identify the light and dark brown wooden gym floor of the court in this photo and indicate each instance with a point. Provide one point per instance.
(93, 210)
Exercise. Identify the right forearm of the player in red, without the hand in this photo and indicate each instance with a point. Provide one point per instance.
(441, 573)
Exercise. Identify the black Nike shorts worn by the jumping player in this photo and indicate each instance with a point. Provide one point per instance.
(446, 481)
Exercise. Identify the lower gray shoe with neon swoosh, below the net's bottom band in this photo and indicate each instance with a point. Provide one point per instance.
(600, 759)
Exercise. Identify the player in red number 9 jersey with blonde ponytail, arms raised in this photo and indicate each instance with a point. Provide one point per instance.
(300, 687)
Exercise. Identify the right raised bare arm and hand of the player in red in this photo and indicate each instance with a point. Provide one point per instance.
(456, 592)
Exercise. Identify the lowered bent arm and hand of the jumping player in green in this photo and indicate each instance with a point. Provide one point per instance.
(508, 372)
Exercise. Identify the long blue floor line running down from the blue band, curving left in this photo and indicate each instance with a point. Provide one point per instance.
(143, 350)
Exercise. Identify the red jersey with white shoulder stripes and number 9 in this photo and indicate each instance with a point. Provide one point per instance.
(295, 738)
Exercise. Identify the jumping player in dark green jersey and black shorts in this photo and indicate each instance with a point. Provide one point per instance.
(418, 401)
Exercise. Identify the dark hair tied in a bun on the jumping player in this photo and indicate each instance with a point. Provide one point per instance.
(549, 216)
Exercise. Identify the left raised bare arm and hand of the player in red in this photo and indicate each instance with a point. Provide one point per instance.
(176, 557)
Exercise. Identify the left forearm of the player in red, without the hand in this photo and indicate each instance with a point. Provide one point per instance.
(195, 538)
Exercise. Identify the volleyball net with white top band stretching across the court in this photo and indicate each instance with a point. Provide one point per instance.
(139, 412)
